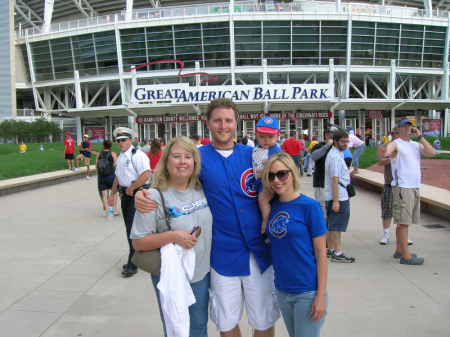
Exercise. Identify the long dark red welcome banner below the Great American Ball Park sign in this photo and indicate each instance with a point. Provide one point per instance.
(250, 116)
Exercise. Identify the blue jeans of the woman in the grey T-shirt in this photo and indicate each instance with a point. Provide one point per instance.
(198, 311)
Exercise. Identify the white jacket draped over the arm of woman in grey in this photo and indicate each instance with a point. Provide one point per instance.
(175, 292)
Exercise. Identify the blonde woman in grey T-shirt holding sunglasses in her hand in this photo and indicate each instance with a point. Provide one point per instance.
(176, 175)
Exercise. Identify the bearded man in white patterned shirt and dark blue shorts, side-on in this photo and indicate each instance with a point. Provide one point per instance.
(337, 200)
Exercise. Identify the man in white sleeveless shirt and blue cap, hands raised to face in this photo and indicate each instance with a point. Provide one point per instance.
(405, 162)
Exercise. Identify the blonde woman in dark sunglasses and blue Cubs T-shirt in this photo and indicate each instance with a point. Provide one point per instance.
(297, 234)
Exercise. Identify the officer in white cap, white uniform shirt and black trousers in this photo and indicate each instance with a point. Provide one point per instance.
(132, 174)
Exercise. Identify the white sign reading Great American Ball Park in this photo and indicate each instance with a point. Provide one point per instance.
(183, 93)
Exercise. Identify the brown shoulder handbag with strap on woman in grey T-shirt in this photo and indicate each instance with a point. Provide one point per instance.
(150, 261)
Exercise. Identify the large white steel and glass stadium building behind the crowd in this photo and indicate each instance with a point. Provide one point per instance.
(154, 65)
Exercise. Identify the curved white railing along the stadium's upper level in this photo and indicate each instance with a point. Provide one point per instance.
(304, 7)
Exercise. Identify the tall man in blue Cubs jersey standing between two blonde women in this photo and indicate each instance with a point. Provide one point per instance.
(241, 262)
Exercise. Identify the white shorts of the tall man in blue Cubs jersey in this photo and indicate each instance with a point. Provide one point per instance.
(228, 293)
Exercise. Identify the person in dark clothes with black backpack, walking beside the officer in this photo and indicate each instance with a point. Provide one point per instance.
(106, 162)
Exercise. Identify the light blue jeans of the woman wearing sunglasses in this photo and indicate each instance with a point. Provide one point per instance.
(296, 311)
